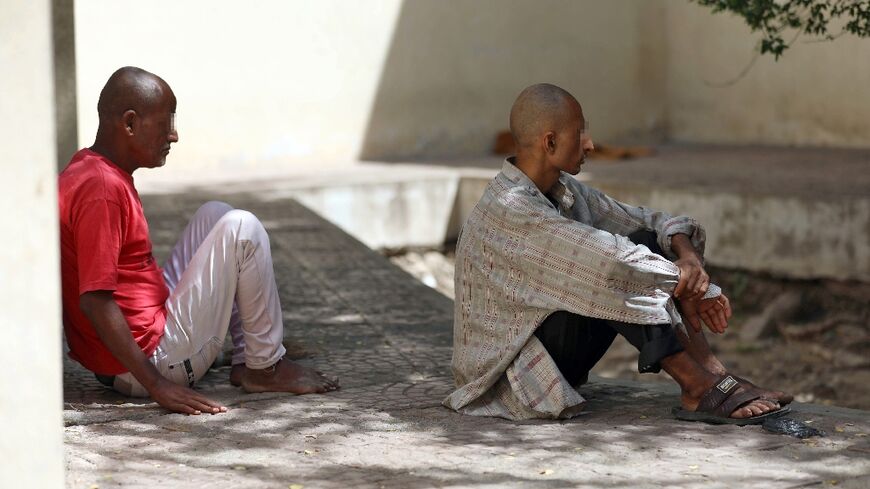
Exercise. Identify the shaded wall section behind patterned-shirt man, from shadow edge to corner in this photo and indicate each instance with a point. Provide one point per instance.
(454, 69)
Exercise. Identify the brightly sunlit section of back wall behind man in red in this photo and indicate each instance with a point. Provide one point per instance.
(259, 84)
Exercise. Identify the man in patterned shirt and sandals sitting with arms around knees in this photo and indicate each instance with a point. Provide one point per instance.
(549, 271)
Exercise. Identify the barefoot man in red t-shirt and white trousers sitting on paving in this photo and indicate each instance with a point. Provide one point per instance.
(144, 331)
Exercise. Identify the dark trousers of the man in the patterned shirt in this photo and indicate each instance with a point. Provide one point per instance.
(576, 343)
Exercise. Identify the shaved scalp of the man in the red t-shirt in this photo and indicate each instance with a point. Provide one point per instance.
(130, 88)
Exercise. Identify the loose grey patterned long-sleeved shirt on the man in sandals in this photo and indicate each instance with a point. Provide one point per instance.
(520, 258)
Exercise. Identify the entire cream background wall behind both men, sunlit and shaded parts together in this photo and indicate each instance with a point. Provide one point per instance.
(278, 84)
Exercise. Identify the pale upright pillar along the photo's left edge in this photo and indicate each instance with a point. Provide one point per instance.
(31, 447)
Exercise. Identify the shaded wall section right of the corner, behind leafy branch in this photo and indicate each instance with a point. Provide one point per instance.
(816, 95)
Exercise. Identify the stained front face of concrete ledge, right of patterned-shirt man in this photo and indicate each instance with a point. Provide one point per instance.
(787, 236)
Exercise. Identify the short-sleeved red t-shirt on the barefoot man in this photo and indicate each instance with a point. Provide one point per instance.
(104, 245)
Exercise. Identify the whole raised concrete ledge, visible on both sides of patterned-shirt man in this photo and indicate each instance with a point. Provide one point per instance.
(799, 213)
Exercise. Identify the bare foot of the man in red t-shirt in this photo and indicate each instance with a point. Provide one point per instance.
(287, 376)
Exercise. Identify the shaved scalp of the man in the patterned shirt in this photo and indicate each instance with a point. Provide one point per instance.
(538, 109)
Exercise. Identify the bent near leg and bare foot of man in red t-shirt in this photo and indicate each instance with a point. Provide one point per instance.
(231, 265)
